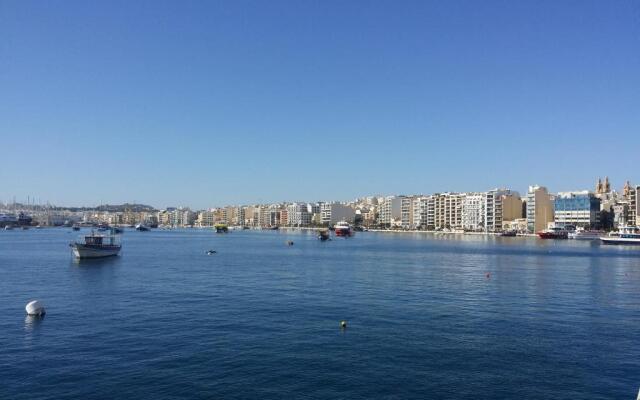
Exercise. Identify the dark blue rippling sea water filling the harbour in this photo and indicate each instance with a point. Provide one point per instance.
(259, 319)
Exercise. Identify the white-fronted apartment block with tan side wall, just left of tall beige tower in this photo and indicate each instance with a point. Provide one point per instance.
(501, 205)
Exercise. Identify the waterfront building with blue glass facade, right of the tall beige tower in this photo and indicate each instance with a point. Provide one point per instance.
(580, 209)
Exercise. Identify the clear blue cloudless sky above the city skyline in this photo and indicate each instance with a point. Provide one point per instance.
(209, 103)
